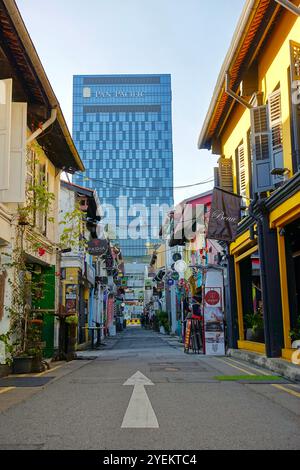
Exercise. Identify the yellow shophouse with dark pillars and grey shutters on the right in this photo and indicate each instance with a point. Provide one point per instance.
(253, 124)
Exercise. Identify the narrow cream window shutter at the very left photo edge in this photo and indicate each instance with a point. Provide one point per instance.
(5, 128)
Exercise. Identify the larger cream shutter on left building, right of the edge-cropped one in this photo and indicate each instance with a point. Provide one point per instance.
(17, 171)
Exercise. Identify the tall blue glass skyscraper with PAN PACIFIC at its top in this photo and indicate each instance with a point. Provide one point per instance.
(122, 127)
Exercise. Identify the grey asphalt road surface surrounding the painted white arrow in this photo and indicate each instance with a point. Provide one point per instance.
(84, 405)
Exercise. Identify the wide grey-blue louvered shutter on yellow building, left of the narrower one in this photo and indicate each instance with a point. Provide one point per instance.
(261, 149)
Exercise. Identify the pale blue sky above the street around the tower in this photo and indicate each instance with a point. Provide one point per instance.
(187, 38)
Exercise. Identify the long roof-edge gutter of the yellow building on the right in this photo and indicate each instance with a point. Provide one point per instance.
(247, 13)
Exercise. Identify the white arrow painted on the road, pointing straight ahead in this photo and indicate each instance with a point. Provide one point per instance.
(139, 414)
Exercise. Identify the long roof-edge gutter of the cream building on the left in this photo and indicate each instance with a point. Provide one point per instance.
(41, 74)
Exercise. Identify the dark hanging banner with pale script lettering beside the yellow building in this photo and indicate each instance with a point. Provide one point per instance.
(225, 216)
